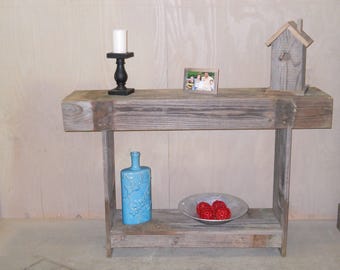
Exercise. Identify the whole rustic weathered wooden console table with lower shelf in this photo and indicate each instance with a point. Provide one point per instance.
(255, 108)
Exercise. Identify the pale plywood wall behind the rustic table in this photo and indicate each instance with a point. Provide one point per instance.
(50, 48)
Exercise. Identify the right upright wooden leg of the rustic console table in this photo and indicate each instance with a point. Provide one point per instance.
(283, 142)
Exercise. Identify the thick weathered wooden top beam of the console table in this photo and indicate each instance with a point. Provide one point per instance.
(174, 110)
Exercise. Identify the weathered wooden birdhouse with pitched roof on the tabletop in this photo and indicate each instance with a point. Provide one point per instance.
(288, 58)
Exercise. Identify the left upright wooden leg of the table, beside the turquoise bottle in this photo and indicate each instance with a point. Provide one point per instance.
(109, 185)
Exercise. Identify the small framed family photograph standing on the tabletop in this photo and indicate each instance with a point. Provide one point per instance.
(201, 80)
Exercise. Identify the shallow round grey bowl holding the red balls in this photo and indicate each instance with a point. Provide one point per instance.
(237, 206)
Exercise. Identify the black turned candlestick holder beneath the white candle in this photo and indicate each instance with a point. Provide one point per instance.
(120, 74)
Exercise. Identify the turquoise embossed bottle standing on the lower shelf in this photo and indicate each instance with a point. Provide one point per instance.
(136, 192)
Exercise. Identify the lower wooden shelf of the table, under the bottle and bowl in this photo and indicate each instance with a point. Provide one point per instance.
(169, 228)
